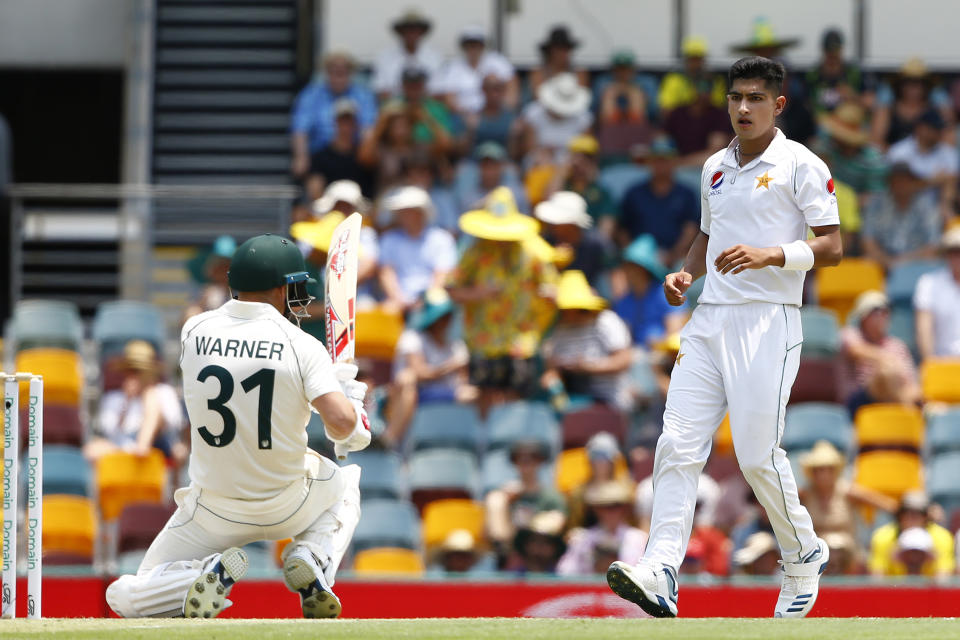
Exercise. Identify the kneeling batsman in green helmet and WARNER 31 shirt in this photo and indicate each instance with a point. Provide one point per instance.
(250, 380)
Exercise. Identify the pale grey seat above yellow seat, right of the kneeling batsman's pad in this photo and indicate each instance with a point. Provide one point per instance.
(442, 473)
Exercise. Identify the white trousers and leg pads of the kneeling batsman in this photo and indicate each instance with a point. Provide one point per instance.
(320, 513)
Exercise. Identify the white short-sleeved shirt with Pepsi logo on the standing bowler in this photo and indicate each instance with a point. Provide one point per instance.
(768, 202)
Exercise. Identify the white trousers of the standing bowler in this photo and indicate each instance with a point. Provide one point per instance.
(742, 359)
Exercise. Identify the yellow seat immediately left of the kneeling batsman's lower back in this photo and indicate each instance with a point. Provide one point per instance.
(123, 478)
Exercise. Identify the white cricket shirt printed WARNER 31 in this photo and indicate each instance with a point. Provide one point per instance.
(249, 376)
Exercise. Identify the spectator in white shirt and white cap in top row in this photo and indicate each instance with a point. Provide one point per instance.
(461, 79)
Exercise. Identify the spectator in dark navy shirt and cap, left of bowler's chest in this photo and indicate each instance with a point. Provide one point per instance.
(661, 207)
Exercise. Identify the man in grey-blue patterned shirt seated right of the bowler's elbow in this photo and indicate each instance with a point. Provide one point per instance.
(903, 223)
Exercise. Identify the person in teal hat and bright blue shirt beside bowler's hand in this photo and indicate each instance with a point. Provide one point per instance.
(644, 308)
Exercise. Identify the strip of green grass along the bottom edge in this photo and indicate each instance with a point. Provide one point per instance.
(488, 629)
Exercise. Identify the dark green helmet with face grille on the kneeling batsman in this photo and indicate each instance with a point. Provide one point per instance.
(268, 261)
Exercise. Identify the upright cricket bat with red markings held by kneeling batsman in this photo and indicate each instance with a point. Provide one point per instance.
(340, 291)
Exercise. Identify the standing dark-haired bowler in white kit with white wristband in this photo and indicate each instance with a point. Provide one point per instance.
(740, 351)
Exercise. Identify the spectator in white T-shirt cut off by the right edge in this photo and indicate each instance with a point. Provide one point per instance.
(936, 301)
